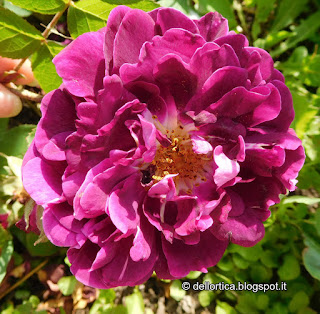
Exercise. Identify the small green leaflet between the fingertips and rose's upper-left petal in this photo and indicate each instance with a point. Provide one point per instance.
(43, 68)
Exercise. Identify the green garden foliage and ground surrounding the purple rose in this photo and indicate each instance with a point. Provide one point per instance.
(36, 279)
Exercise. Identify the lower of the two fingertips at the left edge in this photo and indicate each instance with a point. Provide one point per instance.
(10, 104)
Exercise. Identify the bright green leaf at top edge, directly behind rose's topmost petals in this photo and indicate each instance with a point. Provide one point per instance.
(91, 15)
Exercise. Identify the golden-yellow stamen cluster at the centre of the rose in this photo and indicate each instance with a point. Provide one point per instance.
(178, 157)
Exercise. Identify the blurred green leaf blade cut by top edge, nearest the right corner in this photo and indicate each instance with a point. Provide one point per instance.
(287, 12)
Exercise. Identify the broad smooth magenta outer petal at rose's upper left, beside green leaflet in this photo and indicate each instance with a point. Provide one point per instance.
(81, 64)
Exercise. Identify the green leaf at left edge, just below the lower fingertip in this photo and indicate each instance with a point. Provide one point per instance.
(13, 142)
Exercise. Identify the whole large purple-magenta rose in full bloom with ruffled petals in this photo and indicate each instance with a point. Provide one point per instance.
(168, 139)
